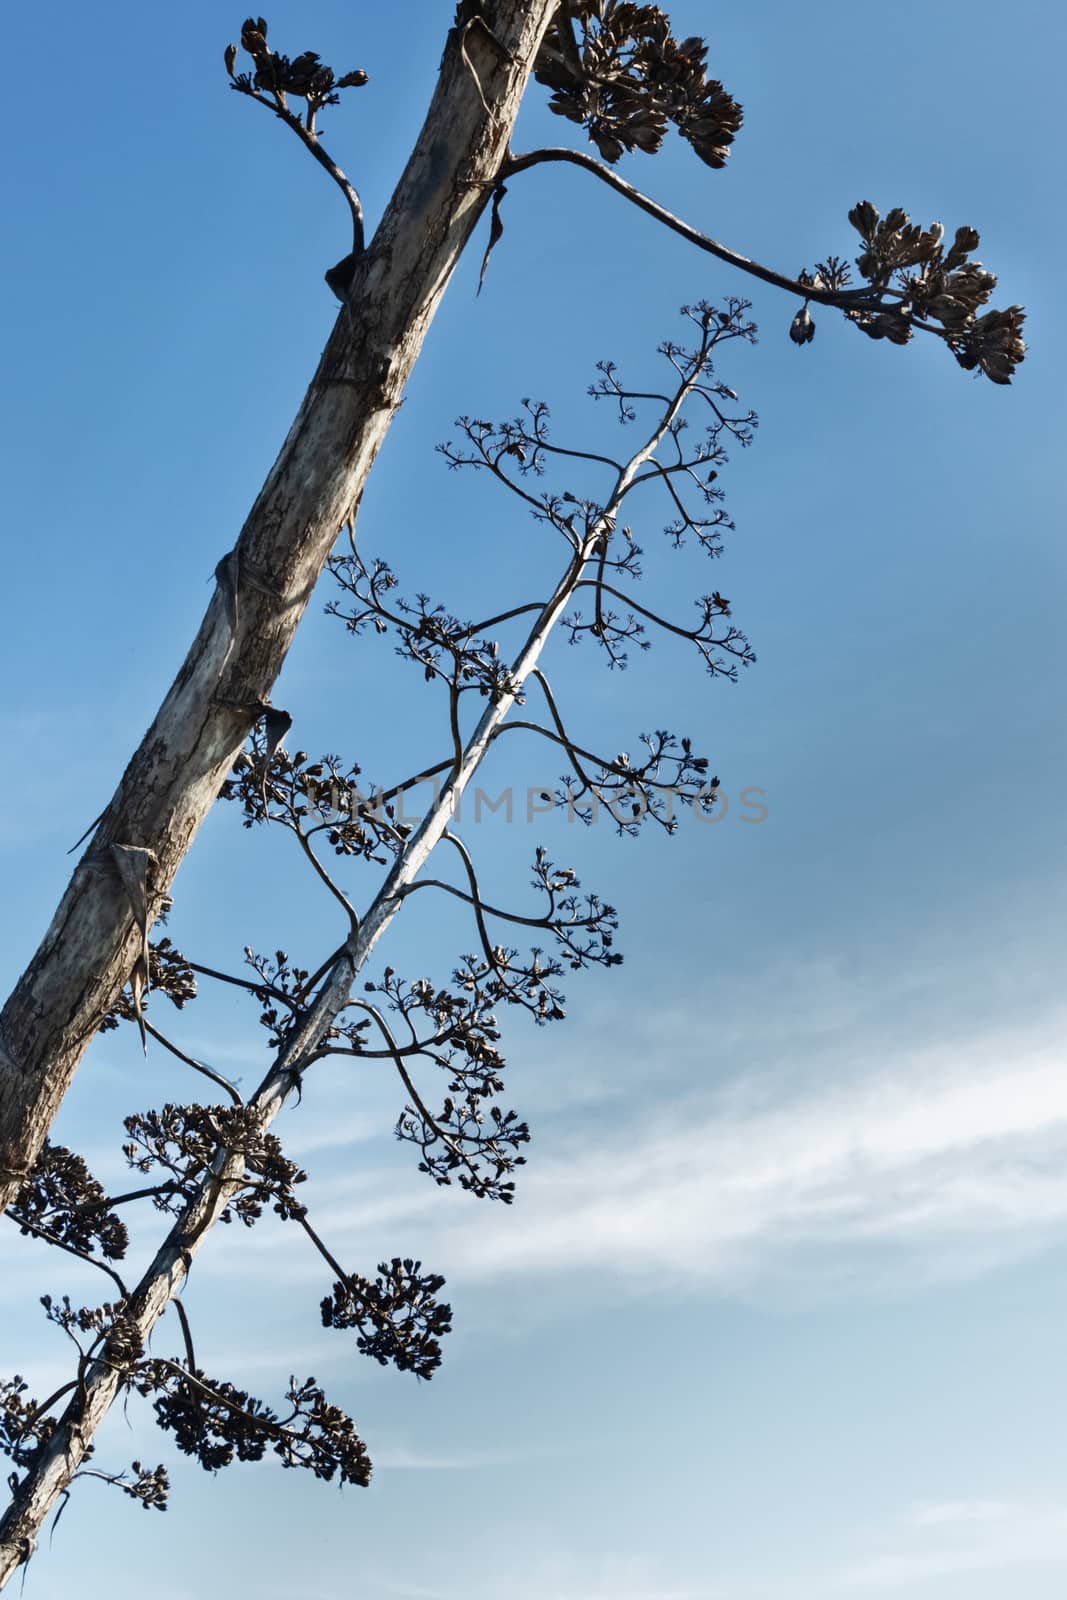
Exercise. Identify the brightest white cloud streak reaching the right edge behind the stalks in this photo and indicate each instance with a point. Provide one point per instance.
(940, 1164)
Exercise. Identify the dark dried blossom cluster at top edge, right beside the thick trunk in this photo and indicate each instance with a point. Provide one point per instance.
(625, 79)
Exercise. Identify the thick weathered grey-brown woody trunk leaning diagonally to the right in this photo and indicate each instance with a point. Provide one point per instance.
(172, 782)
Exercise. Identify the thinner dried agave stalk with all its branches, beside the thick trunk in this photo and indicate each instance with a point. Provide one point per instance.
(196, 1164)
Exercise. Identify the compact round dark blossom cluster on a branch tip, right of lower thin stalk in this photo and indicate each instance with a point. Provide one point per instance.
(399, 1316)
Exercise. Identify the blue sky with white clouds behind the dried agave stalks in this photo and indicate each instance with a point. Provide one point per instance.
(778, 1313)
